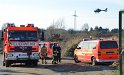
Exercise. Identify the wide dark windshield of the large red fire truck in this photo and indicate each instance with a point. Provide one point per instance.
(22, 35)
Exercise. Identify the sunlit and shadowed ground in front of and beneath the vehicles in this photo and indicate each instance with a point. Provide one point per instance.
(67, 67)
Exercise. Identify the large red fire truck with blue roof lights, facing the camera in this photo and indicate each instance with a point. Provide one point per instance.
(20, 44)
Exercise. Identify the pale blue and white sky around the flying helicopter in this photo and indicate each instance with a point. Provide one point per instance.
(43, 12)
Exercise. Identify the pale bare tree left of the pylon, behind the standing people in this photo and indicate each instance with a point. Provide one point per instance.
(56, 30)
